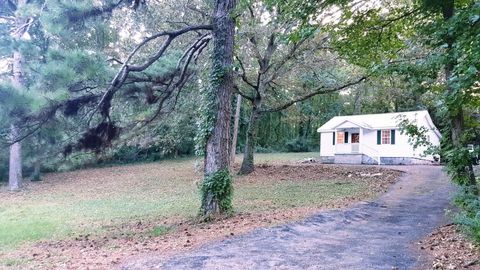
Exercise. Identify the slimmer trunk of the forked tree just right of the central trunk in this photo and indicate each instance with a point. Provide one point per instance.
(248, 164)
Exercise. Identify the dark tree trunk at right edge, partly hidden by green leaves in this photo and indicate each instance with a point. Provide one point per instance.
(456, 114)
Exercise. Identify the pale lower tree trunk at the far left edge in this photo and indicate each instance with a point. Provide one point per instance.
(15, 165)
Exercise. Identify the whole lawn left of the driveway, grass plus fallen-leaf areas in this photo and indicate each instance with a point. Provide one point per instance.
(96, 218)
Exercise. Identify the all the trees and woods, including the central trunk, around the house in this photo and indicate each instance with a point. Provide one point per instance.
(129, 80)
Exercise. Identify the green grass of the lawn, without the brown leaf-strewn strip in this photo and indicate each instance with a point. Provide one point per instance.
(89, 201)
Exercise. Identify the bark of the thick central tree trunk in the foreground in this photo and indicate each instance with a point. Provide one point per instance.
(217, 149)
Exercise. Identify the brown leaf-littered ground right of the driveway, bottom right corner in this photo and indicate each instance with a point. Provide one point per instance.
(448, 249)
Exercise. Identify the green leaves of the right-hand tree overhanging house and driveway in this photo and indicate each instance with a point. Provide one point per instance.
(421, 43)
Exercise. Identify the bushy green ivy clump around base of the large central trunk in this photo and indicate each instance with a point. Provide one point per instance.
(218, 187)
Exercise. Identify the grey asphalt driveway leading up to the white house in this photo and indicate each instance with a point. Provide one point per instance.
(372, 235)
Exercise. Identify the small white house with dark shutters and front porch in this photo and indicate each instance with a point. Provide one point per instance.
(374, 139)
